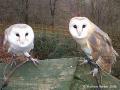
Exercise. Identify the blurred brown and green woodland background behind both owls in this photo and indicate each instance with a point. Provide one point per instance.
(50, 18)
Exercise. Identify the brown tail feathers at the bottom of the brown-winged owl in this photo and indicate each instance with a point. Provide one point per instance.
(105, 64)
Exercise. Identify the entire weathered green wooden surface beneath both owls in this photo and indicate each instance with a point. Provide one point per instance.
(57, 74)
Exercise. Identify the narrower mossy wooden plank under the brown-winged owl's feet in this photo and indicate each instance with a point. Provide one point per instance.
(84, 81)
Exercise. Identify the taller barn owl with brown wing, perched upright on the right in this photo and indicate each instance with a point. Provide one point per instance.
(95, 43)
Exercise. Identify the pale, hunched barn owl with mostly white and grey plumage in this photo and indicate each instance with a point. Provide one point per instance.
(19, 40)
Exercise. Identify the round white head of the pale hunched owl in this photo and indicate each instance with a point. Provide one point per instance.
(20, 35)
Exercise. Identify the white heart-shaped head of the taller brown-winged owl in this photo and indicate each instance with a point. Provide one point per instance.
(79, 27)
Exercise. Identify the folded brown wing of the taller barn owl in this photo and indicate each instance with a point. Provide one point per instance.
(102, 50)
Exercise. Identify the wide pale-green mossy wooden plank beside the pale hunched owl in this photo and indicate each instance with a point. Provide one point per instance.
(50, 74)
